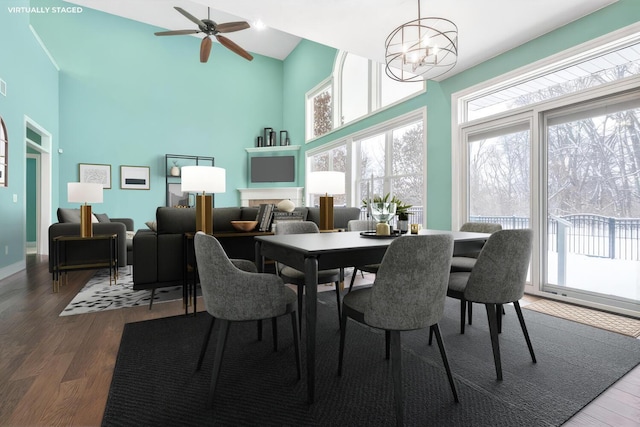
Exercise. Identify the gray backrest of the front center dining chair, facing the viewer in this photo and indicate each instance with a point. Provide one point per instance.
(411, 284)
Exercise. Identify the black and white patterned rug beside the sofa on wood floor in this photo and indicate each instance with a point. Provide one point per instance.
(98, 295)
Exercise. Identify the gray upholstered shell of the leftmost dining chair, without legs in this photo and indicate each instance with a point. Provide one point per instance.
(233, 294)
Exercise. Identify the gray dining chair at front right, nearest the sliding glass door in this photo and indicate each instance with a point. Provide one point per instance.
(498, 278)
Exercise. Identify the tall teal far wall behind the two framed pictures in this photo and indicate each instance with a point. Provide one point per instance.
(129, 98)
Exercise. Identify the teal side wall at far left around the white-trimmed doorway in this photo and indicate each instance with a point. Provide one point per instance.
(32, 91)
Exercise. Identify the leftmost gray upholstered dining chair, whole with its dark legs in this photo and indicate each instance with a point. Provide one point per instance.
(232, 294)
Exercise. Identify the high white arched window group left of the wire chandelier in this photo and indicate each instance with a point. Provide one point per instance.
(357, 88)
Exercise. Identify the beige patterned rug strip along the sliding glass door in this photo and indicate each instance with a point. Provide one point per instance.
(607, 321)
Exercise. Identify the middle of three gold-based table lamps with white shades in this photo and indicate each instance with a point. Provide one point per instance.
(203, 180)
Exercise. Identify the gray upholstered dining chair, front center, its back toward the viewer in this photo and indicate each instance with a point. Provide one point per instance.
(408, 293)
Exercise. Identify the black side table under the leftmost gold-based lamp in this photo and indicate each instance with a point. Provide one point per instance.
(61, 263)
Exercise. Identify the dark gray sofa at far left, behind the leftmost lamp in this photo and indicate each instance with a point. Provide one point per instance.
(69, 225)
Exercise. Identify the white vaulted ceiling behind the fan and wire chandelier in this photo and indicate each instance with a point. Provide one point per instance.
(486, 28)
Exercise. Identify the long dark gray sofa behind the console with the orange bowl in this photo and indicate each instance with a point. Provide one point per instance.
(159, 254)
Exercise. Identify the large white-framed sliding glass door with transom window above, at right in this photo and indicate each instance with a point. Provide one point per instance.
(557, 151)
